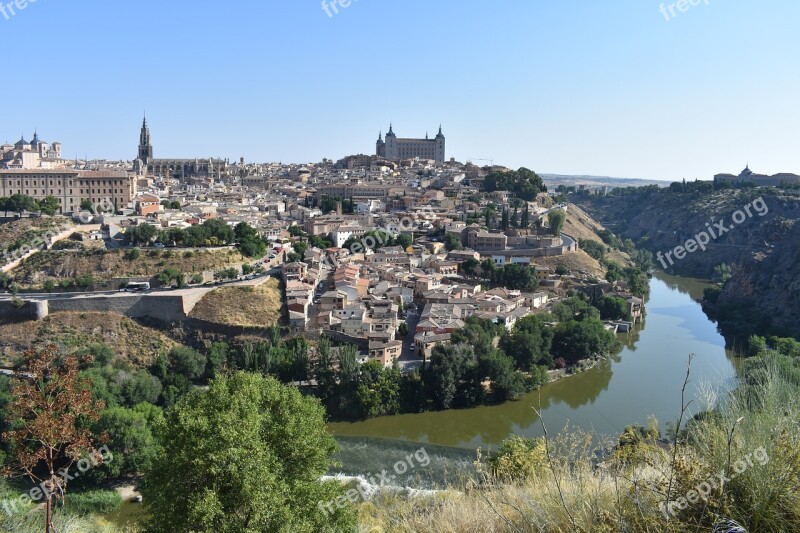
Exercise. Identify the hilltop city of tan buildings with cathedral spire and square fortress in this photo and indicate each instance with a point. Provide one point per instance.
(368, 247)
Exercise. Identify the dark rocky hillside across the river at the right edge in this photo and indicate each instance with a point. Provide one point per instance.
(762, 249)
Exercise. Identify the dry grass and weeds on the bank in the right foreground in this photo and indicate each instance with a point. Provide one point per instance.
(737, 463)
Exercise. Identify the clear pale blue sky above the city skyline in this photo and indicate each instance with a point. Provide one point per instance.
(617, 88)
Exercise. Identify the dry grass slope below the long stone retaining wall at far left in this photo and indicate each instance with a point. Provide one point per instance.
(75, 331)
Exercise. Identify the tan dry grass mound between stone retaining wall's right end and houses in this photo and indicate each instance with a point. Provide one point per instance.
(255, 307)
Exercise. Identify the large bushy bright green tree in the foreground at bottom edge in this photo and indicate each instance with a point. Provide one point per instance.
(245, 456)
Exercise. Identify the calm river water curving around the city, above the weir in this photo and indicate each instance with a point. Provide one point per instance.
(644, 379)
